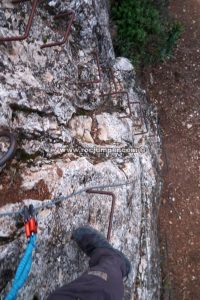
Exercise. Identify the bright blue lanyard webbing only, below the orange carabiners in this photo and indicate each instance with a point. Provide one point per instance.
(23, 269)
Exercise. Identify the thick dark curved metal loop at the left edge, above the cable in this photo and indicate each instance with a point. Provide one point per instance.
(9, 154)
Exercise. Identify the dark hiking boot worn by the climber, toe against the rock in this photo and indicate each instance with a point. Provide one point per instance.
(89, 239)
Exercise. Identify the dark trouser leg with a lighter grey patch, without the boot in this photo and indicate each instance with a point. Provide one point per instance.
(103, 280)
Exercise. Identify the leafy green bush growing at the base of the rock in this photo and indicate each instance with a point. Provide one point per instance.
(143, 34)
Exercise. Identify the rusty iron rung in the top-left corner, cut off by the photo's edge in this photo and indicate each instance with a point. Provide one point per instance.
(28, 26)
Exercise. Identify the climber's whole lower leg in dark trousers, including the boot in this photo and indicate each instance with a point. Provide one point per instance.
(104, 279)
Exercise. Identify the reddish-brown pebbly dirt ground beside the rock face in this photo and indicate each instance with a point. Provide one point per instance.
(174, 87)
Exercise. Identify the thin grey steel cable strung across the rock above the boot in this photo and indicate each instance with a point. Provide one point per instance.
(63, 198)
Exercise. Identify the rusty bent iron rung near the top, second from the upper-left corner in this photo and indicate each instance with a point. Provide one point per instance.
(67, 32)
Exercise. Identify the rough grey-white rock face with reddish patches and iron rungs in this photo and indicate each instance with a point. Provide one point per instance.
(81, 122)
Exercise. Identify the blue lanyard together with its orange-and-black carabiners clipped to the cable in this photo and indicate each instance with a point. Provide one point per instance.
(24, 267)
